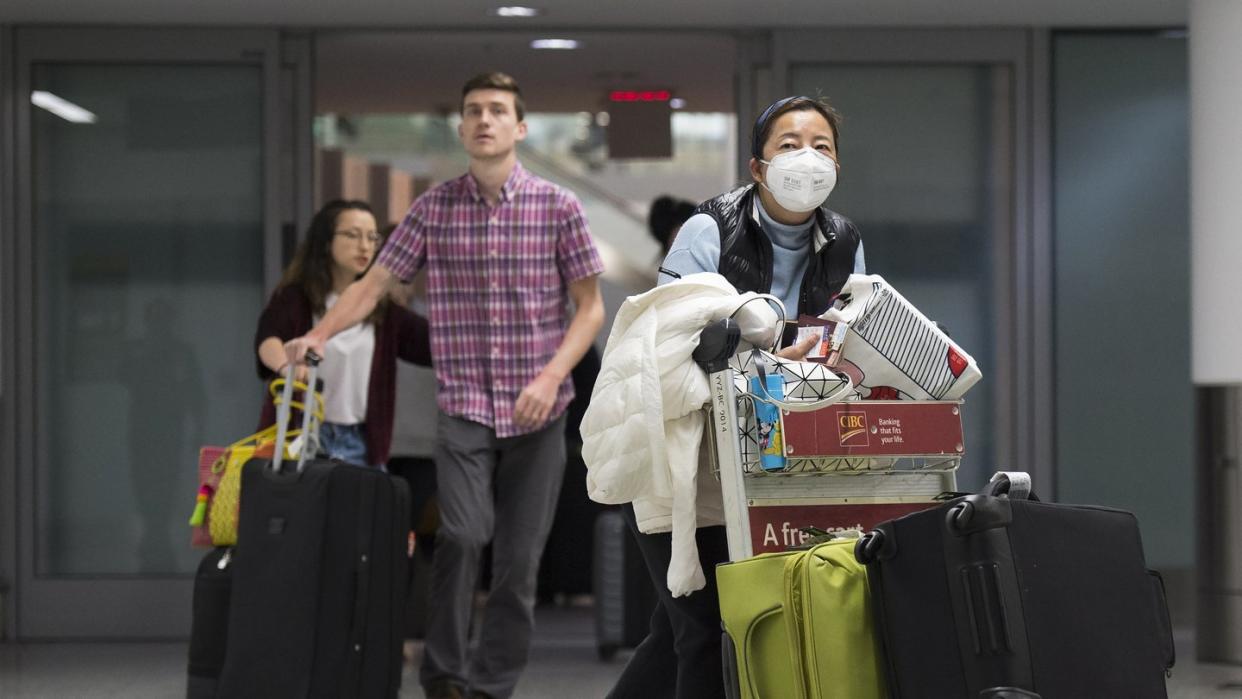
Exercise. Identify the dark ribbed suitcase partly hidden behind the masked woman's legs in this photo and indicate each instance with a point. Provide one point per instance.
(625, 598)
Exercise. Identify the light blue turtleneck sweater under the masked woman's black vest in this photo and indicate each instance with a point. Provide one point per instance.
(697, 249)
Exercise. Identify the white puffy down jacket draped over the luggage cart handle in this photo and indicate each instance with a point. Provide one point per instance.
(643, 430)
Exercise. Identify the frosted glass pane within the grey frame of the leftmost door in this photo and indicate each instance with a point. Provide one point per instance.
(147, 270)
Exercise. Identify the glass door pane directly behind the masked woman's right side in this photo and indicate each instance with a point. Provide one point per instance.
(917, 183)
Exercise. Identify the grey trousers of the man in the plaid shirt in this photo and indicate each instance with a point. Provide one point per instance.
(501, 491)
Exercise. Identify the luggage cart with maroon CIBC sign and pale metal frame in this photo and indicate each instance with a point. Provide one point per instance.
(848, 466)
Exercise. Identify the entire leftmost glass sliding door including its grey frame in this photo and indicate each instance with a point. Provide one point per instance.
(147, 228)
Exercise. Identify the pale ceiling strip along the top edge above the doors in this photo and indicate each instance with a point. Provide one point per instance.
(603, 14)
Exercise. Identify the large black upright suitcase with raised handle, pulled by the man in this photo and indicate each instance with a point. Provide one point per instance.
(320, 579)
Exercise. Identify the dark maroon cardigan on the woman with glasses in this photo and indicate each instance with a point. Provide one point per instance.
(403, 335)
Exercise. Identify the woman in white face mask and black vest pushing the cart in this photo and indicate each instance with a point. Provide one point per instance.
(772, 237)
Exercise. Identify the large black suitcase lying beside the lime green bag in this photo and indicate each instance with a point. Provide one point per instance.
(1000, 597)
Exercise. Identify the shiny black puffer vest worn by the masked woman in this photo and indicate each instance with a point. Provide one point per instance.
(747, 251)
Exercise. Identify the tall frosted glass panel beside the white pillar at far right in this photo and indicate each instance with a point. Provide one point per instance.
(1122, 187)
